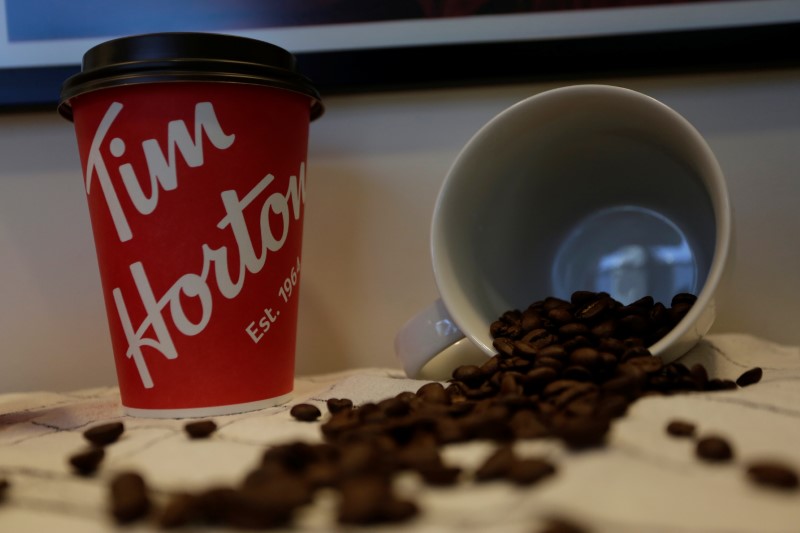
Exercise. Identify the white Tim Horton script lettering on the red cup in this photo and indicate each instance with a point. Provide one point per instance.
(153, 332)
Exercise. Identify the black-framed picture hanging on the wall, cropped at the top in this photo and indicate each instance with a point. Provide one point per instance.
(366, 45)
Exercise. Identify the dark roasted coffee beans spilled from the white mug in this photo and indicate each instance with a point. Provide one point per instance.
(564, 369)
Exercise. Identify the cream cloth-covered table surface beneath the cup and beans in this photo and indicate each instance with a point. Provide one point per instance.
(642, 480)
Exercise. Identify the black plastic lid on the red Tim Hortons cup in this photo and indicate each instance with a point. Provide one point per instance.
(170, 57)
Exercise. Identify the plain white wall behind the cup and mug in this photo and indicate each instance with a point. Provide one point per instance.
(375, 165)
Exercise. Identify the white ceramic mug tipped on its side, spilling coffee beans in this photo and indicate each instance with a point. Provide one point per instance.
(585, 187)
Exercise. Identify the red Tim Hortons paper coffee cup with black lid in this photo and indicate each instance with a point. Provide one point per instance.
(193, 149)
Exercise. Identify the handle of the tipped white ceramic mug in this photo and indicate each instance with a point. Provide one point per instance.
(430, 345)
